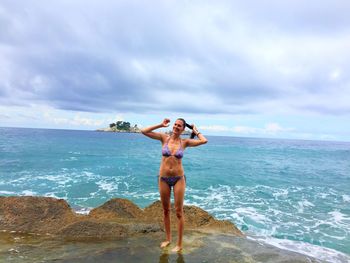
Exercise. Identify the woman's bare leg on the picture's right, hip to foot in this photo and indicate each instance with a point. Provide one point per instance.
(179, 193)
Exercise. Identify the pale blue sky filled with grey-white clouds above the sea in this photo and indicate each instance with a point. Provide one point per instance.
(275, 69)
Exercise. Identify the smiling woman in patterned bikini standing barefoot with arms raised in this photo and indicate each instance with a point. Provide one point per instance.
(171, 172)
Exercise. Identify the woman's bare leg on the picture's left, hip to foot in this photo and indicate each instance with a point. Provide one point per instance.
(165, 192)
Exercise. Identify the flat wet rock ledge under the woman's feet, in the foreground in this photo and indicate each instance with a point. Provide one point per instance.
(198, 247)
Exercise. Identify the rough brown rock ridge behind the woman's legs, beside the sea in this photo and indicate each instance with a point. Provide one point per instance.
(117, 218)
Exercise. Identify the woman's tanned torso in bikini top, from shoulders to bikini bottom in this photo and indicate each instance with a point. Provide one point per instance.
(172, 152)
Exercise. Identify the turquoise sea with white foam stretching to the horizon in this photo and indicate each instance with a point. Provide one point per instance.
(291, 194)
